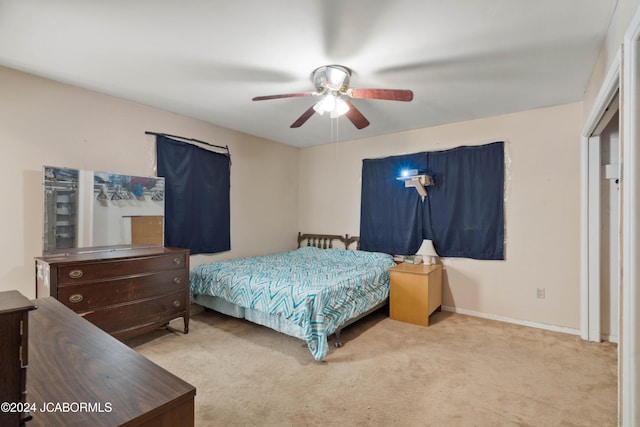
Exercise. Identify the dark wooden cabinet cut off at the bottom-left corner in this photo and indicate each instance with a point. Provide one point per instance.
(14, 327)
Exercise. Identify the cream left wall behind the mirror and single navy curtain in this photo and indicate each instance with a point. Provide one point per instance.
(47, 123)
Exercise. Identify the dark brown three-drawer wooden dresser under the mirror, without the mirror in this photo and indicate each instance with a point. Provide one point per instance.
(125, 291)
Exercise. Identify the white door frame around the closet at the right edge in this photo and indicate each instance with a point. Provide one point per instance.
(624, 74)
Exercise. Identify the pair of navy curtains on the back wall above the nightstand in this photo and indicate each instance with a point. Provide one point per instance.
(463, 212)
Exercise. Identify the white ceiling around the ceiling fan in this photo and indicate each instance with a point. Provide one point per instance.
(206, 59)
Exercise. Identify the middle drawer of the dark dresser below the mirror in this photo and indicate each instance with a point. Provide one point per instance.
(89, 295)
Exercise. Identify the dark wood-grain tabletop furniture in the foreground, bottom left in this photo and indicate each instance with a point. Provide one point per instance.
(82, 376)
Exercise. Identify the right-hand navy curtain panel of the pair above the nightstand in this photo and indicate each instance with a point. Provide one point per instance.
(464, 209)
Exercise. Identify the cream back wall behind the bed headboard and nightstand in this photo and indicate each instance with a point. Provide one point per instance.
(542, 209)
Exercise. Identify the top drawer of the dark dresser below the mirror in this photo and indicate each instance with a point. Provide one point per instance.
(117, 268)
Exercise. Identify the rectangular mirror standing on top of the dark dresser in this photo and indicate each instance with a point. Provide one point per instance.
(91, 209)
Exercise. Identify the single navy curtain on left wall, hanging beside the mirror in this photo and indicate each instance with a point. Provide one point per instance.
(197, 202)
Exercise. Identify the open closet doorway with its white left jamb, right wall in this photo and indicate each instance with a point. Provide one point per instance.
(601, 219)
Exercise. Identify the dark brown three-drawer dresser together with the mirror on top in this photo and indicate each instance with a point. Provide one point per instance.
(103, 254)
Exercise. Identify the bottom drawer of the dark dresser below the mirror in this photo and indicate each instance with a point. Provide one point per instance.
(120, 318)
